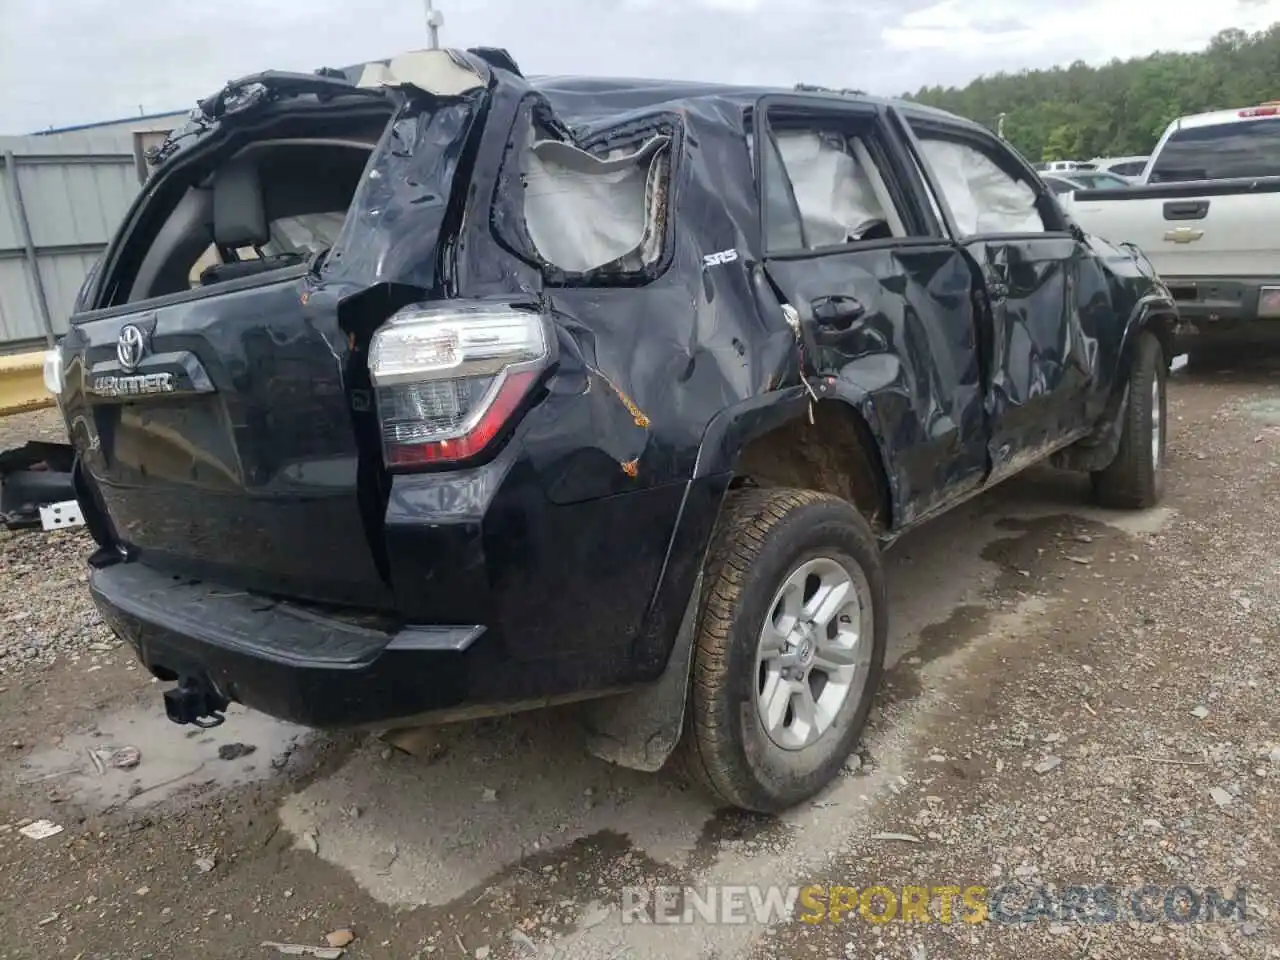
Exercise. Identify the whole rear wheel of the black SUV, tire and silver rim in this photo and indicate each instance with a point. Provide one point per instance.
(790, 647)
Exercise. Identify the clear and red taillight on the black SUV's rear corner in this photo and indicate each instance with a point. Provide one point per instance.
(450, 377)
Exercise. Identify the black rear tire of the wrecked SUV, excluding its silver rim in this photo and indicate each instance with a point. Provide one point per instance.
(762, 538)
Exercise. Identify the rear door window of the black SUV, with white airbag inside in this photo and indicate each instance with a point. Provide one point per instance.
(824, 188)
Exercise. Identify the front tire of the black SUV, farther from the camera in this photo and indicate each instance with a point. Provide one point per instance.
(1136, 477)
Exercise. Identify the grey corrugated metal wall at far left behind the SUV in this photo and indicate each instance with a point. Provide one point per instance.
(62, 198)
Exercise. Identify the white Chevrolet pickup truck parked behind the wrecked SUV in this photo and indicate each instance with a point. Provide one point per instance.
(1206, 213)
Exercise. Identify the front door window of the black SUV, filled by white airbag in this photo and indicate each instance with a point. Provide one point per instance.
(984, 196)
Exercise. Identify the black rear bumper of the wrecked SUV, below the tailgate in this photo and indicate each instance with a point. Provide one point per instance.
(281, 660)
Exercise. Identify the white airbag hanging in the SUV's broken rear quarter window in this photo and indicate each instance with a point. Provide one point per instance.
(584, 212)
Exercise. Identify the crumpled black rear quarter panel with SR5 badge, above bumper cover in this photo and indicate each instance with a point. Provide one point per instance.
(646, 365)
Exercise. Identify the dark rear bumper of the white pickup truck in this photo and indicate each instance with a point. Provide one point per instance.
(1223, 310)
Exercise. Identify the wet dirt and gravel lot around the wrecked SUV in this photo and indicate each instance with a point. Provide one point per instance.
(1078, 698)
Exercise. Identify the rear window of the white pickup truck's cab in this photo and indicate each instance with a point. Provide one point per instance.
(1206, 153)
